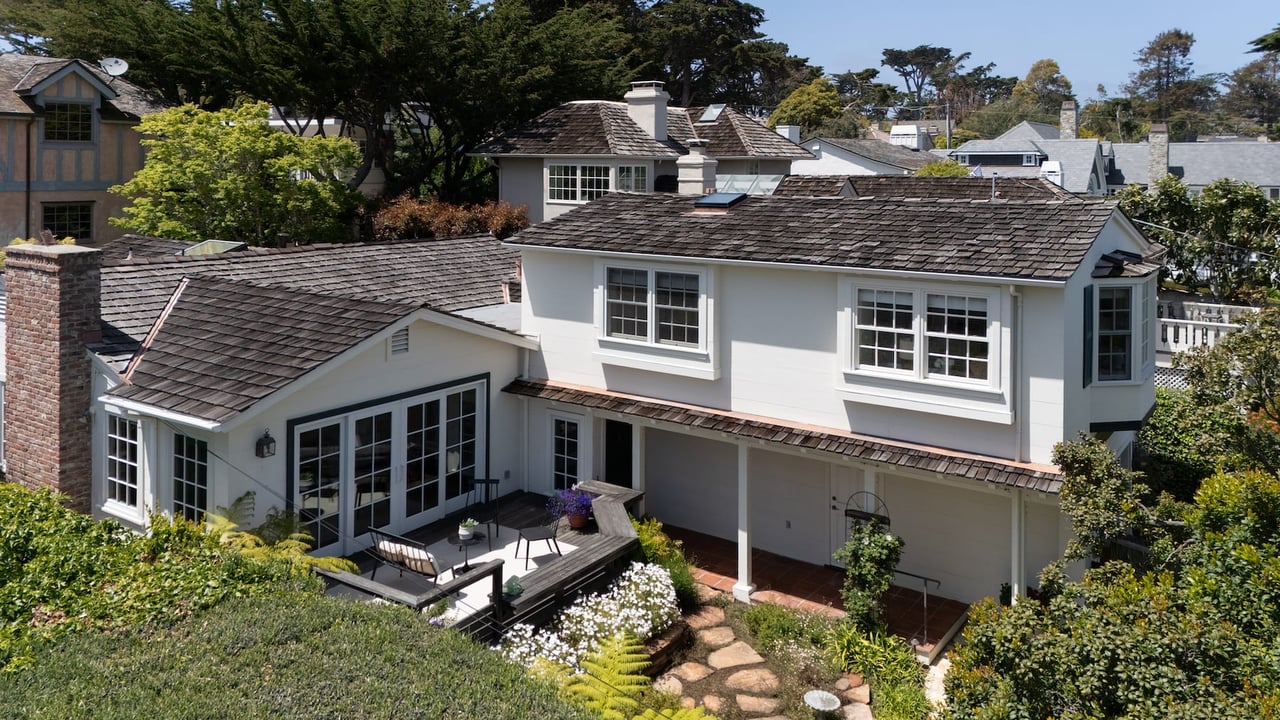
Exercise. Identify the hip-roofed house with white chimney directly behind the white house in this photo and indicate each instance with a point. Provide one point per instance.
(582, 151)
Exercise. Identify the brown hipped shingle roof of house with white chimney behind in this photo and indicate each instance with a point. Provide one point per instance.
(600, 127)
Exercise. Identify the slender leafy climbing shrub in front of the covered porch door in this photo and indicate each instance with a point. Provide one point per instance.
(870, 557)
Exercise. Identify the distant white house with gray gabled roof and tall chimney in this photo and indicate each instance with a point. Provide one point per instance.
(1031, 151)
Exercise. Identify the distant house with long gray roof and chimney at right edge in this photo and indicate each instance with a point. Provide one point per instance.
(1195, 163)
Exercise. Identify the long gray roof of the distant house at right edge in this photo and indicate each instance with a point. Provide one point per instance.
(1200, 163)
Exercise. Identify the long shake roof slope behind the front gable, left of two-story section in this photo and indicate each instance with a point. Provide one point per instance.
(445, 275)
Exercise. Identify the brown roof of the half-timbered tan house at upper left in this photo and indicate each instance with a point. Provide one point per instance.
(20, 74)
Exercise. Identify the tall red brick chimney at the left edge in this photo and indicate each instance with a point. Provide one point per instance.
(53, 311)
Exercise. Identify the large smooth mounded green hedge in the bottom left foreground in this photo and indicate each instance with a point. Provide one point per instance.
(296, 655)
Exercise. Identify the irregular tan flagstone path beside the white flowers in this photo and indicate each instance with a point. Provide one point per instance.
(734, 677)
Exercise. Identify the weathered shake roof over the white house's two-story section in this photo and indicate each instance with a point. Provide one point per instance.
(1044, 241)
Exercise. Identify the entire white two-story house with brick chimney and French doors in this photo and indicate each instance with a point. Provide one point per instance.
(762, 368)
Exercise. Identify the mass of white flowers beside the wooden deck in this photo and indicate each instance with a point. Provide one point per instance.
(642, 603)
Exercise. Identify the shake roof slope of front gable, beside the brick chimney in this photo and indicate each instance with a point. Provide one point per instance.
(221, 345)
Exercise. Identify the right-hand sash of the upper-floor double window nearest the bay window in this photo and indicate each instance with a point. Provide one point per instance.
(956, 331)
